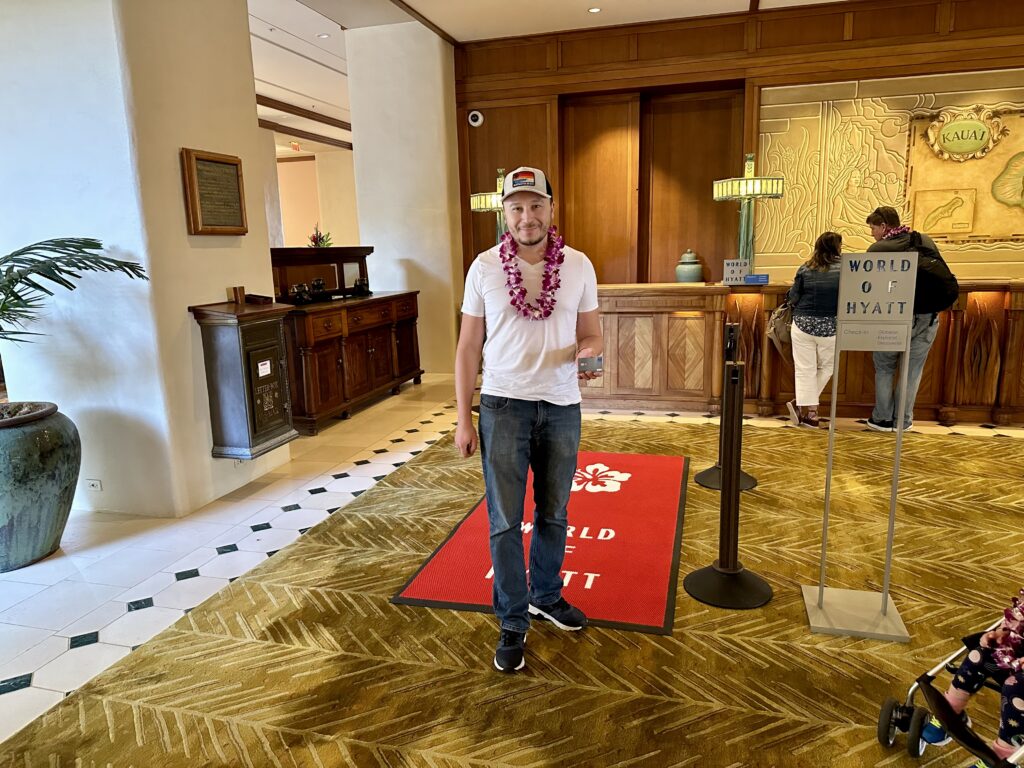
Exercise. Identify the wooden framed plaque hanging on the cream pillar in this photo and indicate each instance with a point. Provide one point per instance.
(216, 200)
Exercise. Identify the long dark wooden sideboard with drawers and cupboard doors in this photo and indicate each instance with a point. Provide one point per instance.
(348, 352)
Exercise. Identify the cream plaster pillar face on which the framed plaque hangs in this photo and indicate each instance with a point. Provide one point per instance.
(190, 83)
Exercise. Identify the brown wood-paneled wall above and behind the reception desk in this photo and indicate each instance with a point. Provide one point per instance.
(634, 219)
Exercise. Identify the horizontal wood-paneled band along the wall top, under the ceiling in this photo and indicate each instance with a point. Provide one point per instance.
(807, 45)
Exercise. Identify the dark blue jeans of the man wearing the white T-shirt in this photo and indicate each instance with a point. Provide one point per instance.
(516, 437)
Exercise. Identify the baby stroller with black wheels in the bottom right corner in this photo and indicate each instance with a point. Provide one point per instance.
(912, 720)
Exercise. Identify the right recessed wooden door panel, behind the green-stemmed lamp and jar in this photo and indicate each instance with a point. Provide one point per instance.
(690, 141)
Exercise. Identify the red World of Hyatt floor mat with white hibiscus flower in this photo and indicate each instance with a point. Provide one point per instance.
(622, 551)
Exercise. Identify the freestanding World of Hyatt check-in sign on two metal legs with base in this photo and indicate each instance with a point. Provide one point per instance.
(876, 314)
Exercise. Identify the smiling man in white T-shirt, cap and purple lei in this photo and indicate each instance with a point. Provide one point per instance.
(531, 308)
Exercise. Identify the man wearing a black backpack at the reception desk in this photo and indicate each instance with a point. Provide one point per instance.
(936, 290)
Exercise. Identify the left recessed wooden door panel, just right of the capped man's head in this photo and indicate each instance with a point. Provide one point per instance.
(602, 161)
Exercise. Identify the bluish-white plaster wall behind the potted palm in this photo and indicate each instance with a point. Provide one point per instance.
(68, 172)
